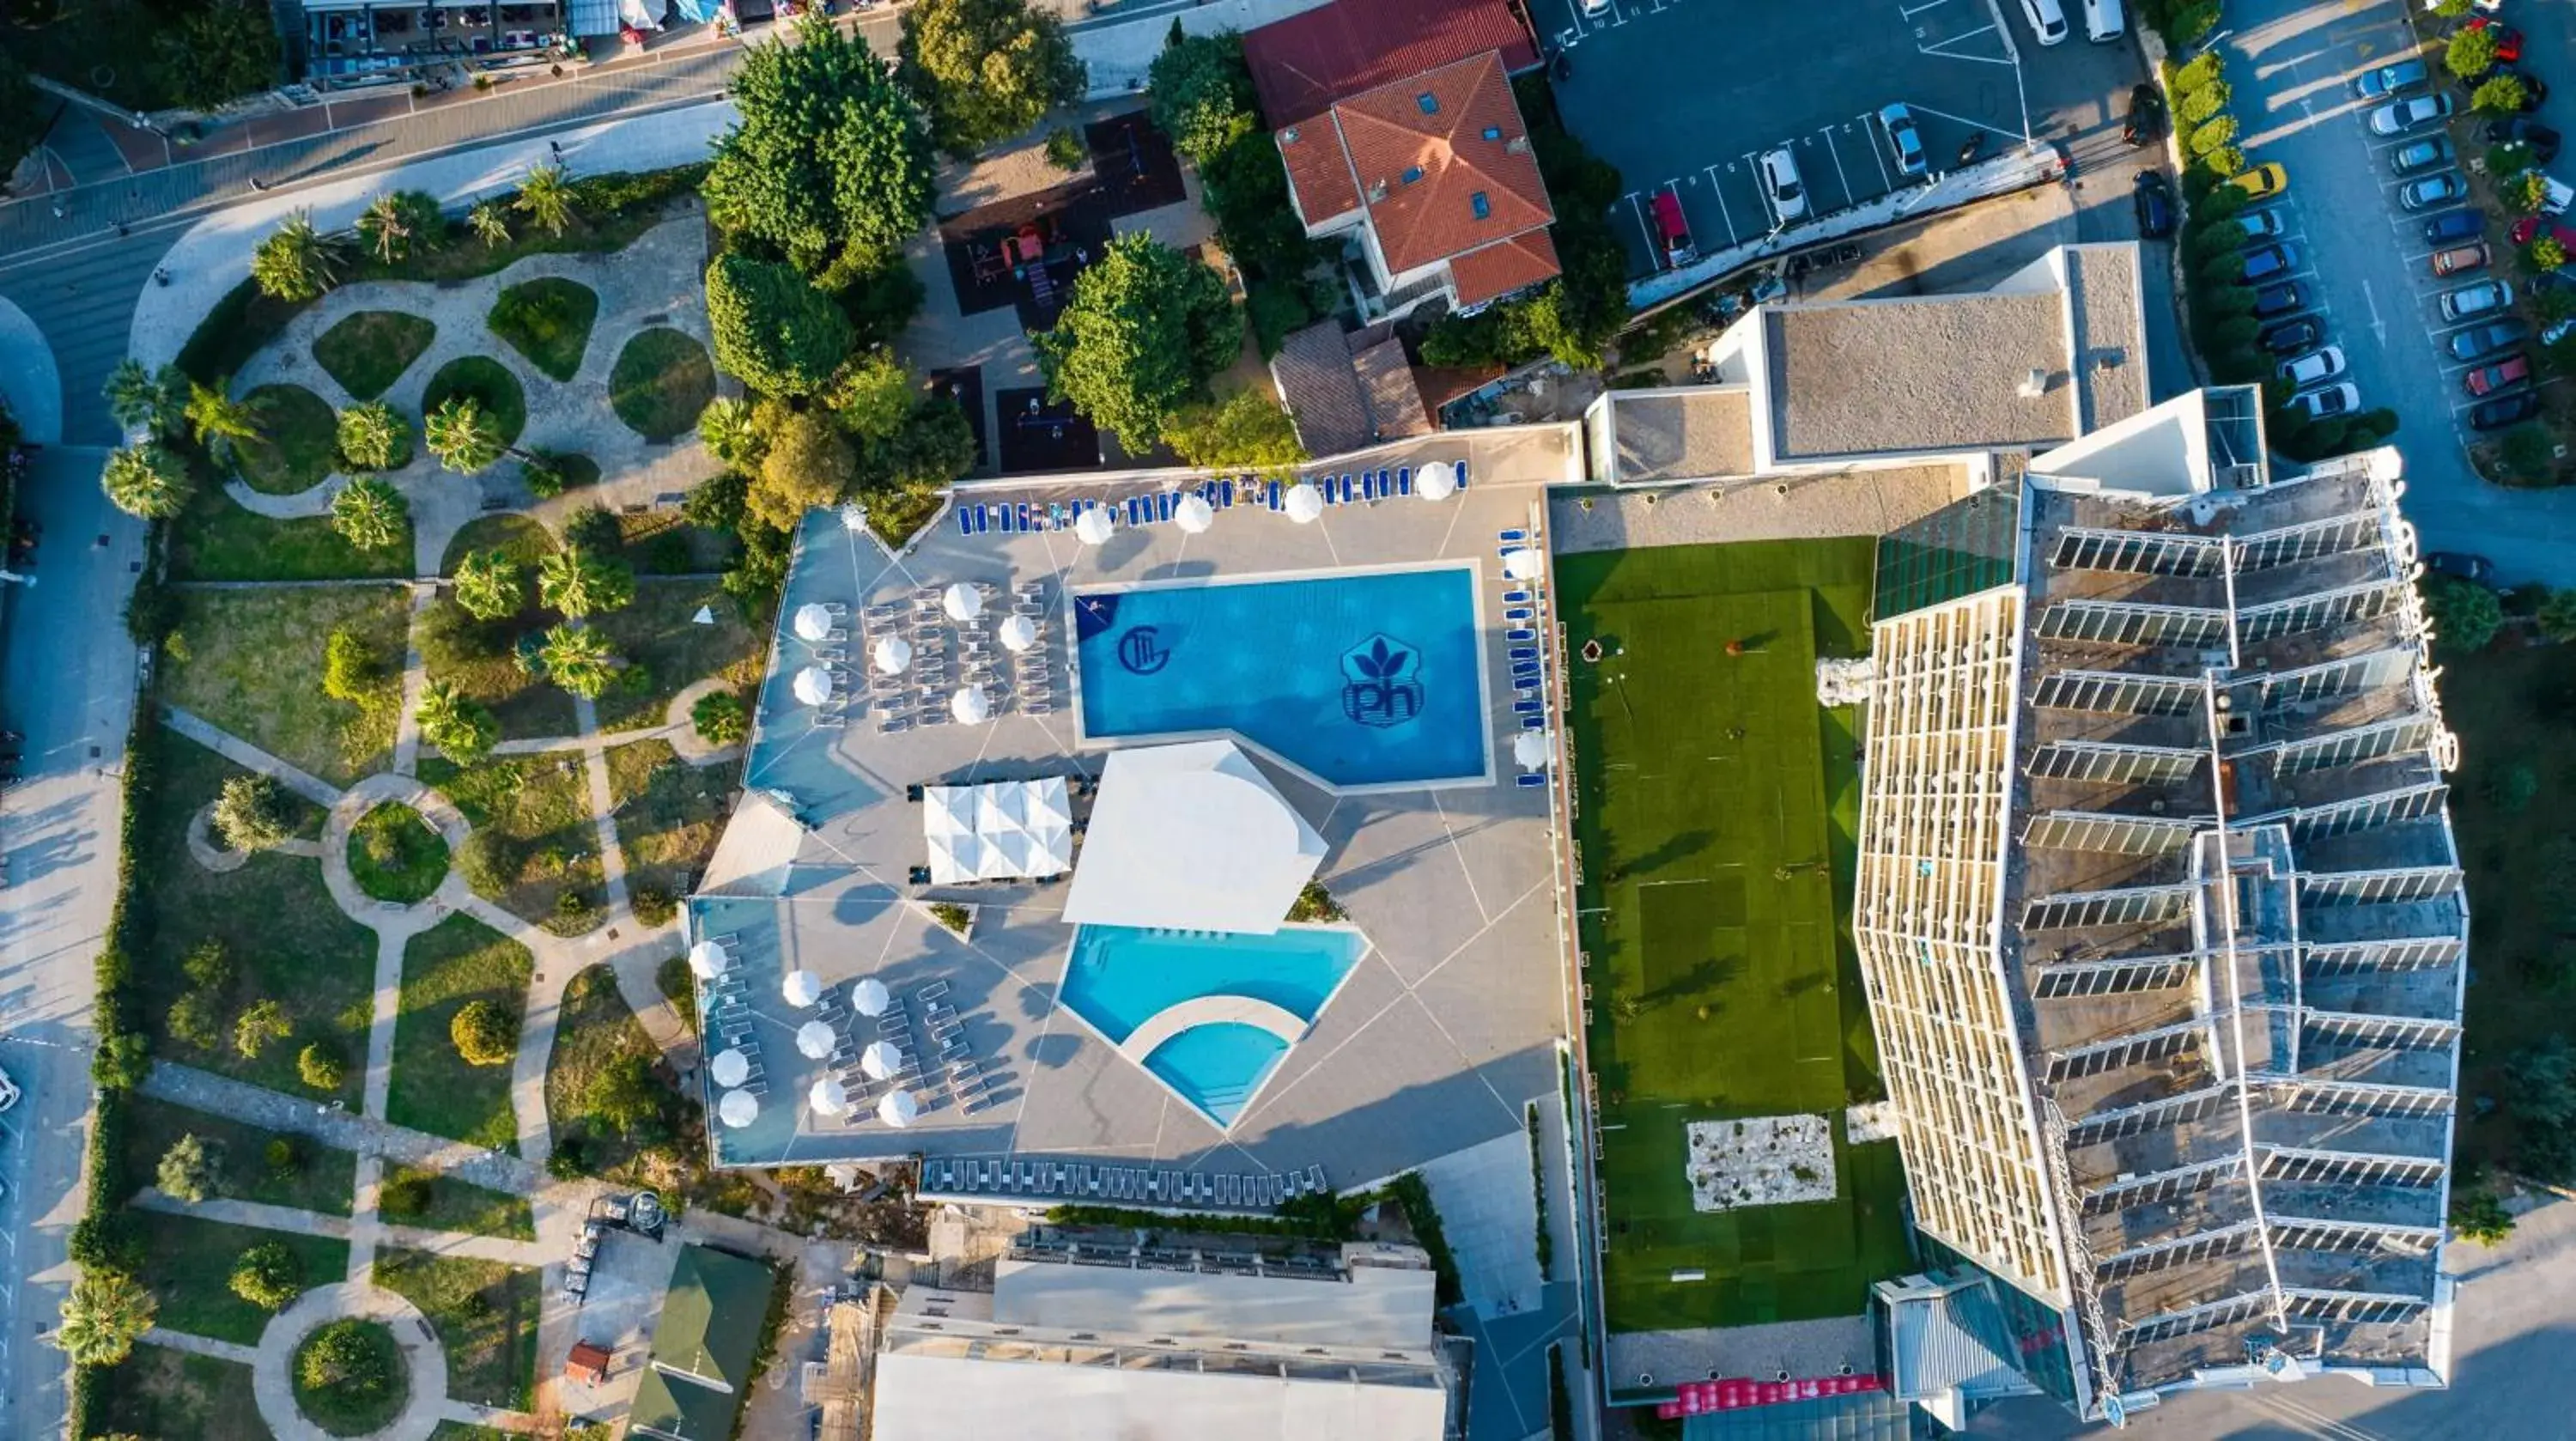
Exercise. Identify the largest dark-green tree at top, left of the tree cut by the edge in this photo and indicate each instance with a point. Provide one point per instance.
(828, 151)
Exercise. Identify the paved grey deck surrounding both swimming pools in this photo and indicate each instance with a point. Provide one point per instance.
(1434, 1043)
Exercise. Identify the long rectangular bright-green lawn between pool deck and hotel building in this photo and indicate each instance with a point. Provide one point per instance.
(1717, 824)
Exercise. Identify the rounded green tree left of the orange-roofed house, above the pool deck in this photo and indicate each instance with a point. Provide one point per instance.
(1145, 331)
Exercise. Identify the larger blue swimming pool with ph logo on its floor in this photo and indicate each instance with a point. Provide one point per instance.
(1361, 679)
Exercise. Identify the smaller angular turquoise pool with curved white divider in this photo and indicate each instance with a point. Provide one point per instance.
(1207, 1014)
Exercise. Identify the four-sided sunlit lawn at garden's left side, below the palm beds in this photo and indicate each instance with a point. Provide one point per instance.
(254, 666)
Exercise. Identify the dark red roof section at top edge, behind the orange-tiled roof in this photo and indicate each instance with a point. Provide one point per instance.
(1307, 63)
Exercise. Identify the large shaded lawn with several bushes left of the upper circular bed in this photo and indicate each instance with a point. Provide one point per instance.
(274, 919)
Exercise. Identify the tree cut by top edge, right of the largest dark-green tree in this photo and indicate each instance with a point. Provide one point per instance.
(985, 68)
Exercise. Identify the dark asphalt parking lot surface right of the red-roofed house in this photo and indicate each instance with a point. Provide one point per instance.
(1686, 94)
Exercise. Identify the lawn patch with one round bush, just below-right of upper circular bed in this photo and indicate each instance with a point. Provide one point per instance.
(434, 1089)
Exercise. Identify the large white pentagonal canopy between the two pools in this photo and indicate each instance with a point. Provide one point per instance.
(1163, 813)
